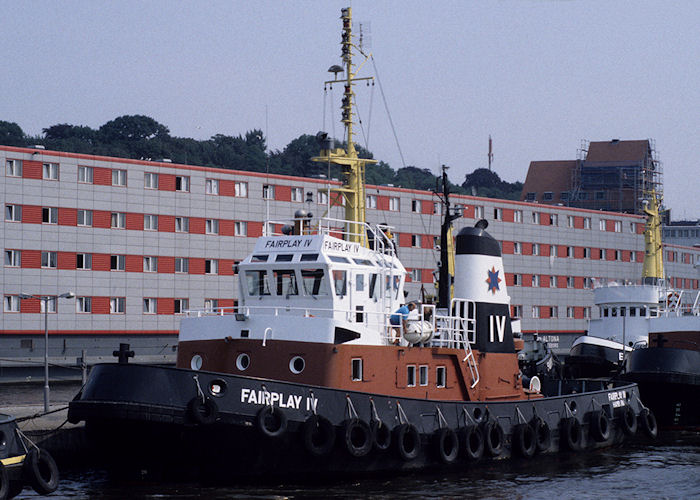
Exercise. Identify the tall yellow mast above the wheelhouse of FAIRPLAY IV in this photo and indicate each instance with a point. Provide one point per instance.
(353, 188)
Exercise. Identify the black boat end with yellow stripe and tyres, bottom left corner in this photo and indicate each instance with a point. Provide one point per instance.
(21, 464)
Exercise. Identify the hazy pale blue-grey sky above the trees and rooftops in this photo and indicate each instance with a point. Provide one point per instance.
(538, 76)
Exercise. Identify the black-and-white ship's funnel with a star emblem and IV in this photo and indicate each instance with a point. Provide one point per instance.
(479, 277)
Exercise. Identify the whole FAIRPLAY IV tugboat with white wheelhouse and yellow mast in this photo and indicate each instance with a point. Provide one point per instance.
(316, 372)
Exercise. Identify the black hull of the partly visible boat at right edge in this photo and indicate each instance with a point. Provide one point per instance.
(669, 381)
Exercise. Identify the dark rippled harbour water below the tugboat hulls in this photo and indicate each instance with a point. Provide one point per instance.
(666, 468)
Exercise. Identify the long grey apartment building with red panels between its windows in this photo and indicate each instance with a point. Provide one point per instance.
(140, 242)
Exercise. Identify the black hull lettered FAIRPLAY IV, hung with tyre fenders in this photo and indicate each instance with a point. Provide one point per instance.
(137, 416)
